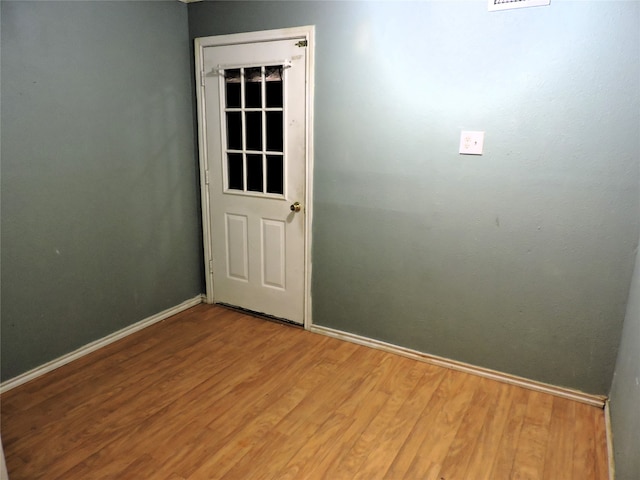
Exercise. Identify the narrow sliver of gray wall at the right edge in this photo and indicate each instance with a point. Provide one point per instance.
(625, 391)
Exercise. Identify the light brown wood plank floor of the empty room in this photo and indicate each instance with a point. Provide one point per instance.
(214, 393)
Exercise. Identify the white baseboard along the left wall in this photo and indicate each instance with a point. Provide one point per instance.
(93, 346)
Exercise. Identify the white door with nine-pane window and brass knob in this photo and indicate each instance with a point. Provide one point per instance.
(254, 111)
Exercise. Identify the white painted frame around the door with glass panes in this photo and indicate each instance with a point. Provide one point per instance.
(304, 33)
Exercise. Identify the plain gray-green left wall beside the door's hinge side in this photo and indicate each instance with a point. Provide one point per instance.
(100, 221)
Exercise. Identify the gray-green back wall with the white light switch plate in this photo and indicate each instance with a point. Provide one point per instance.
(519, 260)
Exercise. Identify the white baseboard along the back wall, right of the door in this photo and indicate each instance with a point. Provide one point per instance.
(594, 400)
